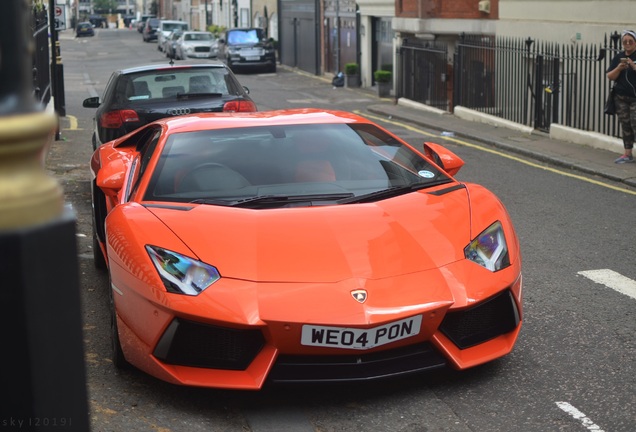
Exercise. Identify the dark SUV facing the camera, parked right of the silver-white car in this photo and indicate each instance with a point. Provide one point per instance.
(247, 48)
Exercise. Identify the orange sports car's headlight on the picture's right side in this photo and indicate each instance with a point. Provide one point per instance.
(489, 249)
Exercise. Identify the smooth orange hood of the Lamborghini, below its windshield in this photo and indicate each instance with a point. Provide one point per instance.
(401, 235)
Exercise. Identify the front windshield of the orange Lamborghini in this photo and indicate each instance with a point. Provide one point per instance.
(283, 164)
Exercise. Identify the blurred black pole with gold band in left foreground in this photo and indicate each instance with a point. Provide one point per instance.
(42, 363)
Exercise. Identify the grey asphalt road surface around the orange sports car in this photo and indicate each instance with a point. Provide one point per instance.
(573, 368)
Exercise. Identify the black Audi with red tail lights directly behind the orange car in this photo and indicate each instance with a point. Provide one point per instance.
(136, 96)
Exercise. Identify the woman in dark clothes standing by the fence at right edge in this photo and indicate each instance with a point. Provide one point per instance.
(622, 70)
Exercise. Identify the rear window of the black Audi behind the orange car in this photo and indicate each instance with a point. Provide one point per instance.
(141, 87)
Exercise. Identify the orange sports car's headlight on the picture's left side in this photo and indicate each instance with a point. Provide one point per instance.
(180, 274)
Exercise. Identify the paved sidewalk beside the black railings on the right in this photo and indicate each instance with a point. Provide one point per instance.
(522, 140)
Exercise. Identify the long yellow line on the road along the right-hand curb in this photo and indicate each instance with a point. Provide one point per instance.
(499, 153)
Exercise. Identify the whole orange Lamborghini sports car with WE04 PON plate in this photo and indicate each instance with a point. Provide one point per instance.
(298, 246)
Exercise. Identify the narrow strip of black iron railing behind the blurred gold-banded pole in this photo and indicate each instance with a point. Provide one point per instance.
(41, 63)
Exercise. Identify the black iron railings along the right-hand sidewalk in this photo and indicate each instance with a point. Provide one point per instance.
(522, 80)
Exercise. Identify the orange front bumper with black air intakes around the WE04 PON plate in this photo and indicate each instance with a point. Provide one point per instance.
(245, 352)
